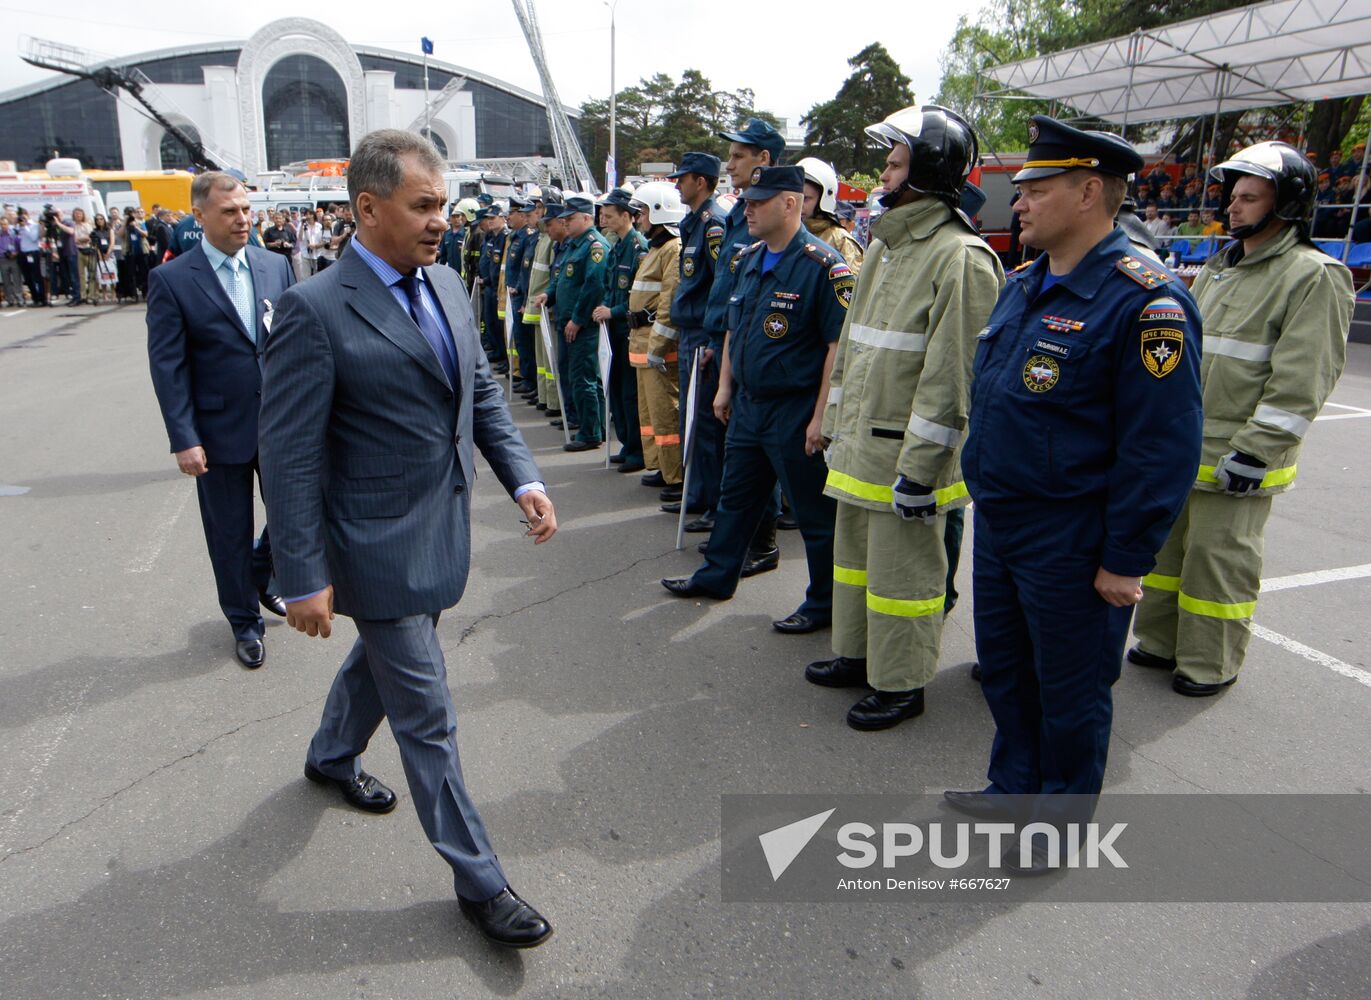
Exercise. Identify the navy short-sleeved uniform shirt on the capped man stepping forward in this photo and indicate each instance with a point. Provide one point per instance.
(782, 322)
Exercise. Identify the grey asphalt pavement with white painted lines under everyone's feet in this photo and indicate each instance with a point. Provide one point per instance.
(158, 839)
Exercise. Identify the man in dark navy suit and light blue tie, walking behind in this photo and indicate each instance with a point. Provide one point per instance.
(209, 316)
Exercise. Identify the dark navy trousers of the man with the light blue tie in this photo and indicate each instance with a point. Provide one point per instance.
(242, 569)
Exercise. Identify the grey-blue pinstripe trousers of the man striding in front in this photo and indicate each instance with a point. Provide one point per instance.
(396, 671)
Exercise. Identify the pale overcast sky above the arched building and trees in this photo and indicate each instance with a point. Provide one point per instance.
(796, 57)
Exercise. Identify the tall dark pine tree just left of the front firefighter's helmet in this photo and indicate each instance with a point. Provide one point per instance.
(836, 130)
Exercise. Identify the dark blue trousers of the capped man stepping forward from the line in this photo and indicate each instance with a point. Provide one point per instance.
(767, 445)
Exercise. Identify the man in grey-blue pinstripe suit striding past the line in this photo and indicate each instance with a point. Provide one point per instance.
(376, 393)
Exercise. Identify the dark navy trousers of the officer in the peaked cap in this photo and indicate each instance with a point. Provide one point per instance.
(1050, 648)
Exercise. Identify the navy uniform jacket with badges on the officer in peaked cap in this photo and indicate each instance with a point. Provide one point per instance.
(1088, 394)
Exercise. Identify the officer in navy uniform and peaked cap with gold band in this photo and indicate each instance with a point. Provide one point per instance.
(1082, 447)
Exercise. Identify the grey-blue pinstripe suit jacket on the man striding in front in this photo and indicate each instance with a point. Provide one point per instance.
(368, 453)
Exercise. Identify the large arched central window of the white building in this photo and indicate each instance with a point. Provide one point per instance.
(305, 112)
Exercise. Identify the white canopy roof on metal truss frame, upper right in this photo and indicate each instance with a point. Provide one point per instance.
(1277, 53)
